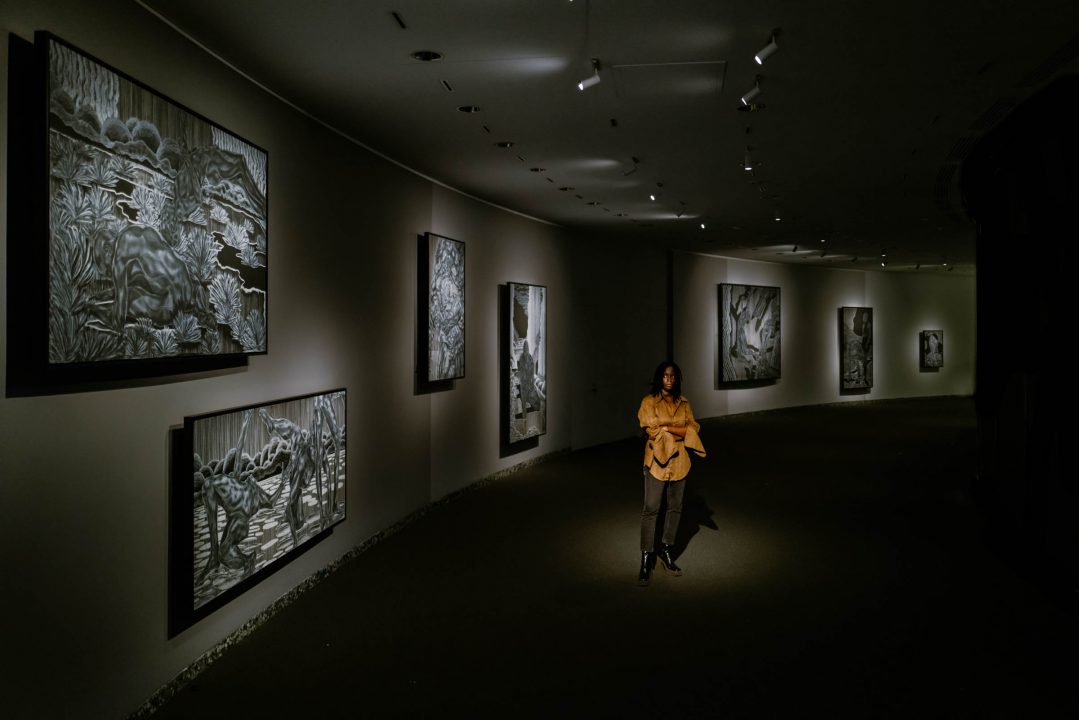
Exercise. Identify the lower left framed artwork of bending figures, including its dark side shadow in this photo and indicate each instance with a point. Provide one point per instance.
(276, 477)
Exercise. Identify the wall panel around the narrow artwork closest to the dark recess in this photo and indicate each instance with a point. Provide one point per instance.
(466, 423)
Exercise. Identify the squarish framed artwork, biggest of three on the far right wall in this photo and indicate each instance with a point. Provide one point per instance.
(749, 333)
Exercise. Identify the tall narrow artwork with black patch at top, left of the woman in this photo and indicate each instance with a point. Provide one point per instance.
(528, 361)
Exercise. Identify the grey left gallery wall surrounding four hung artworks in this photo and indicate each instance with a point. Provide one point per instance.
(85, 476)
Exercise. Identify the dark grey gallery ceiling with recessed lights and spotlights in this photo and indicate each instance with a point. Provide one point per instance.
(866, 112)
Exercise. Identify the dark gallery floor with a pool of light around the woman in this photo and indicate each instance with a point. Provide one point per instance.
(834, 563)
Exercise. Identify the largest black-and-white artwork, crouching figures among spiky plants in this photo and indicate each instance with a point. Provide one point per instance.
(158, 224)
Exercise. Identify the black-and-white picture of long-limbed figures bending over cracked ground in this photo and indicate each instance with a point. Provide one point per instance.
(267, 481)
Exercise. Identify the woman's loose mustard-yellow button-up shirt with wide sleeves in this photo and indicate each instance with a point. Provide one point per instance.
(666, 456)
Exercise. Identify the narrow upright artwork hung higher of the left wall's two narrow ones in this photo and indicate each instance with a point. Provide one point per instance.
(446, 305)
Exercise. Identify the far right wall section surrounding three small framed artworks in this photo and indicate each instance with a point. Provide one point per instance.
(904, 304)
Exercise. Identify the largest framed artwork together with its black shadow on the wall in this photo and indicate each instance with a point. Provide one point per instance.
(147, 224)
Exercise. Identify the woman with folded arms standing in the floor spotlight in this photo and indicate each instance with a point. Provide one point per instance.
(673, 433)
